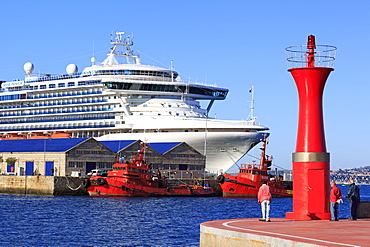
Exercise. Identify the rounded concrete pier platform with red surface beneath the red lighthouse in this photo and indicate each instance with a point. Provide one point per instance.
(284, 232)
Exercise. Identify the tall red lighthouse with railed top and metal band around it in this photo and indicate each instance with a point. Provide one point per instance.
(311, 162)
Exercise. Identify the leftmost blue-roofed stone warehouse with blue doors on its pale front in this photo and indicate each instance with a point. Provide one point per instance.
(58, 157)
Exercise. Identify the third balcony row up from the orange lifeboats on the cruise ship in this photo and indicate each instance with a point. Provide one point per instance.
(57, 110)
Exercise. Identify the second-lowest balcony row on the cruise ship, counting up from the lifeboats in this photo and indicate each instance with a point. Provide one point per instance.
(57, 118)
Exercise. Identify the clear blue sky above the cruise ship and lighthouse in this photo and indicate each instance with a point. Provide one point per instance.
(235, 43)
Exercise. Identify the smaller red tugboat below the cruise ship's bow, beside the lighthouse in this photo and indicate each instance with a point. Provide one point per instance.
(248, 180)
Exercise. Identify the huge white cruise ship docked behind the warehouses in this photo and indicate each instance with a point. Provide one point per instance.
(125, 100)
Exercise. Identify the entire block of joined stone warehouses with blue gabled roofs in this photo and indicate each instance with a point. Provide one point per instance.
(71, 156)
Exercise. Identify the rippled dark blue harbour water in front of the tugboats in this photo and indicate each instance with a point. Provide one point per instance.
(85, 221)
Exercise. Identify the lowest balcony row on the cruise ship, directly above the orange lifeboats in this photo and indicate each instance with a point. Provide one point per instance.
(56, 127)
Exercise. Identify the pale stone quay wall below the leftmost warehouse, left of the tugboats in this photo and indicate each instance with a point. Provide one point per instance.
(42, 185)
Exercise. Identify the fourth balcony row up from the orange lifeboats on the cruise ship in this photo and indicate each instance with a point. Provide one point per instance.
(56, 102)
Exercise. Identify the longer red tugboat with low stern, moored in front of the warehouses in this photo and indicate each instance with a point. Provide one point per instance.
(136, 179)
